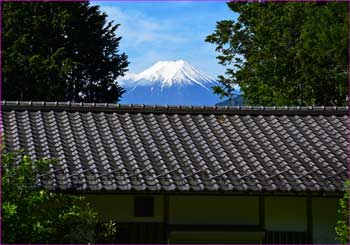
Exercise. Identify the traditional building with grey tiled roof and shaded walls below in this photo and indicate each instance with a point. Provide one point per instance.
(172, 174)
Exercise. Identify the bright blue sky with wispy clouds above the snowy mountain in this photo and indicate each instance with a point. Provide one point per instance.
(154, 31)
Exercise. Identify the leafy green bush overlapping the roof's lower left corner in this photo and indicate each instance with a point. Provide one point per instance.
(35, 215)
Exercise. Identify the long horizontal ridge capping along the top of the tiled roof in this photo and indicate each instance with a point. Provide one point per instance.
(142, 108)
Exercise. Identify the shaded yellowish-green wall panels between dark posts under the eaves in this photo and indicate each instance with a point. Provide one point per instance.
(281, 214)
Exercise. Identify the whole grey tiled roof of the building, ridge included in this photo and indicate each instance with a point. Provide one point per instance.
(169, 148)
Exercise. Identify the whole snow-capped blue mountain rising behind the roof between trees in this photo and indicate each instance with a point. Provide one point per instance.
(169, 83)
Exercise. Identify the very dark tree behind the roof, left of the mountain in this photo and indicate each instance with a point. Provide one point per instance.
(60, 52)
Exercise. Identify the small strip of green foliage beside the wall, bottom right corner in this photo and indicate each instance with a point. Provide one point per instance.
(342, 228)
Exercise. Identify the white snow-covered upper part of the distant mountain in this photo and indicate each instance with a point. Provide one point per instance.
(167, 74)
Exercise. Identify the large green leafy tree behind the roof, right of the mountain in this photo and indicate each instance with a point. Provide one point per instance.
(285, 53)
